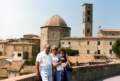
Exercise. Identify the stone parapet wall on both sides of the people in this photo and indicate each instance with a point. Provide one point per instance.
(80, 73)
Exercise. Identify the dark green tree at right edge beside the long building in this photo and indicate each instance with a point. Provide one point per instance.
(116, 47)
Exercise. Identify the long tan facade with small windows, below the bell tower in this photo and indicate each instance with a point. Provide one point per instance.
(91, 45)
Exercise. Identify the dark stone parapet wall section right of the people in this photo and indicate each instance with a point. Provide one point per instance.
(93, 73)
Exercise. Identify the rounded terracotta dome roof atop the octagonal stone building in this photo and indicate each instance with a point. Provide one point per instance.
(56, 21)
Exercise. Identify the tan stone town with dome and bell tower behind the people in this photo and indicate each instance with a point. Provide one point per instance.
(17, 56)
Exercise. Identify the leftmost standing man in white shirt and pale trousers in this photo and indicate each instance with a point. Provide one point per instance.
(44, 65)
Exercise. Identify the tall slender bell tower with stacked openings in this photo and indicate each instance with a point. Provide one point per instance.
(87, 19)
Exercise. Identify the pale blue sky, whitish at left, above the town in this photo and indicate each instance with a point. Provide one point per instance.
(19, 17)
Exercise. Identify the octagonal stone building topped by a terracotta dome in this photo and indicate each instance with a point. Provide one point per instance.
(53, 30)
